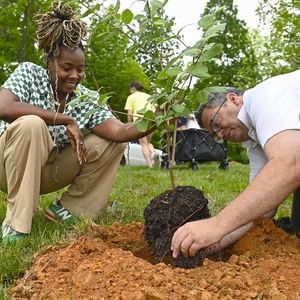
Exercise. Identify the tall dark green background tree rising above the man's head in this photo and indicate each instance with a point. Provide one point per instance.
(237, 65)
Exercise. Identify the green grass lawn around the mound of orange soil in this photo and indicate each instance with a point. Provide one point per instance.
(133, 188)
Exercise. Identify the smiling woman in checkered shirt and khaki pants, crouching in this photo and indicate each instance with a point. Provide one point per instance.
(44, 146)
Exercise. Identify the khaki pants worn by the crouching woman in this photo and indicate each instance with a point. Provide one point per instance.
(30, 166)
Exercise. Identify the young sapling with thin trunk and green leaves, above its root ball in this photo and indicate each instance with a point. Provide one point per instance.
(174, 79)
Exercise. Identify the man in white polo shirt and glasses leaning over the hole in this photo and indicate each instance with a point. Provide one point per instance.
(266, 119)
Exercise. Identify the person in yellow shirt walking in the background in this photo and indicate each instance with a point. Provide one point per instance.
(135, 102)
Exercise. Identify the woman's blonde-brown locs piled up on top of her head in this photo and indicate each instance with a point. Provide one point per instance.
(59, 26)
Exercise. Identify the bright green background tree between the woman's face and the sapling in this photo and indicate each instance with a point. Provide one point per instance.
(112, 65)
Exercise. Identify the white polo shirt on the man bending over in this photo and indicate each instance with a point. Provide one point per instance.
(269, 108)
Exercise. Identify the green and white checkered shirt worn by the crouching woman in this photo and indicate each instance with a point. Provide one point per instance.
(30, 83)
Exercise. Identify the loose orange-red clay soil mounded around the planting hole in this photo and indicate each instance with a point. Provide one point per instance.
(115, 263)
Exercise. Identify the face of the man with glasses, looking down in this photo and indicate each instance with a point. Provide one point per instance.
(222, 121)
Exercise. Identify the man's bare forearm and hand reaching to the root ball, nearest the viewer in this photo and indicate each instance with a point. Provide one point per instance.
(276, 181)
